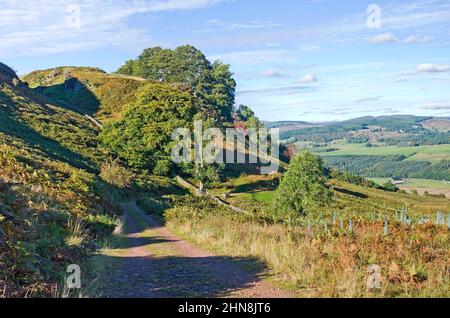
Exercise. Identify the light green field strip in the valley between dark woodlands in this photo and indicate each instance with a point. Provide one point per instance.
(429, 153)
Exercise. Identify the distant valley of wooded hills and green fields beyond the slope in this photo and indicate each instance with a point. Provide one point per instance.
(386, 146)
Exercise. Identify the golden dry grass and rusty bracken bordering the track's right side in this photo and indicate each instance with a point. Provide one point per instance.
(415, 262)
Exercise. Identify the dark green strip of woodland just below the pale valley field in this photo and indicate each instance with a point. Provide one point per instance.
(391, 166)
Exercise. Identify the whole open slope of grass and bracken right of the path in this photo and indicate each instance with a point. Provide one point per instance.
(327, 258)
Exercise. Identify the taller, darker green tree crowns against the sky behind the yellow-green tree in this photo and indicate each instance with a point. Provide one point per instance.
(213, 82)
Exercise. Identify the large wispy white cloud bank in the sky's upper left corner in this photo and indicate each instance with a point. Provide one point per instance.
(31, 27)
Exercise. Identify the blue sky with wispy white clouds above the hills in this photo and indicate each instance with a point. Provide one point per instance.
(308, 60)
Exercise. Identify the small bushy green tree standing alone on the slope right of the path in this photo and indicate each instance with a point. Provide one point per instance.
(302, 187)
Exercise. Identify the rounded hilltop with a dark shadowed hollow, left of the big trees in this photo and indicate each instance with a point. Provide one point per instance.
(86, 90)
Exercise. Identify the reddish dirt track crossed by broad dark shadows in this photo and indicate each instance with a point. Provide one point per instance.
(151, 262)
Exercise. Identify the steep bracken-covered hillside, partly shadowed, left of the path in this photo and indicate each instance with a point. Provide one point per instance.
(53, 206)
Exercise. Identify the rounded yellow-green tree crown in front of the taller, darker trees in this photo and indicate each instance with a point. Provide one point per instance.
(143, 135)
